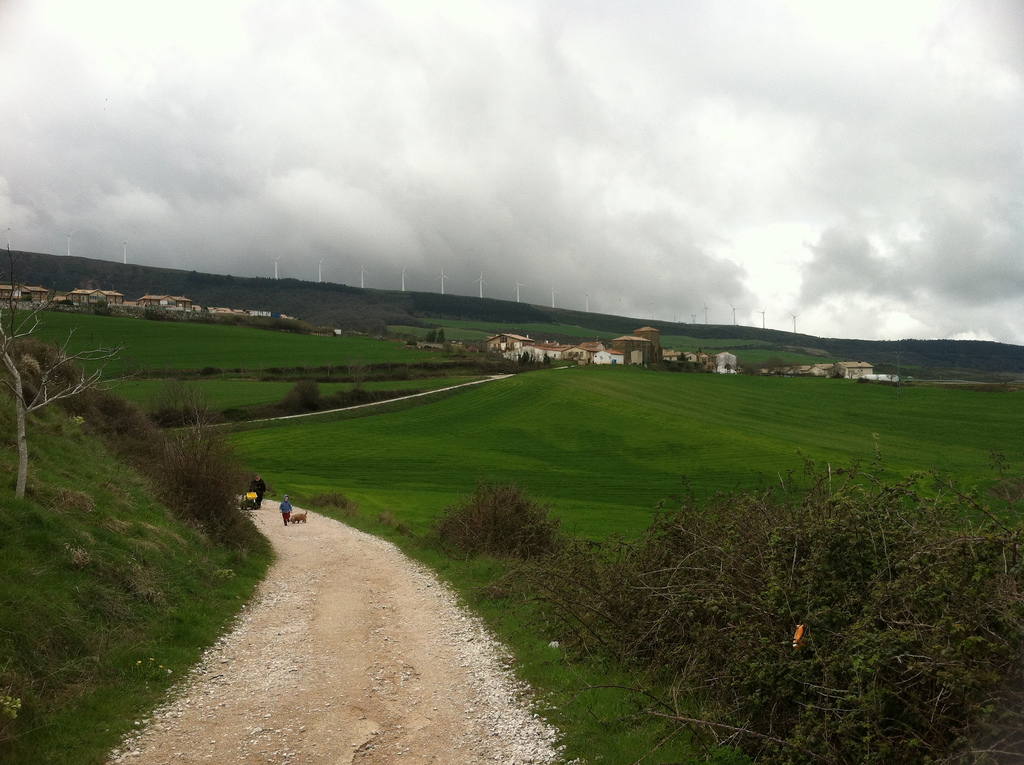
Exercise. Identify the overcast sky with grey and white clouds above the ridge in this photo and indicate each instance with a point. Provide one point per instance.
(858, 164)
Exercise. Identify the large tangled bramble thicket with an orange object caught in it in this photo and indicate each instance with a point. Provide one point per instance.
(914, 618)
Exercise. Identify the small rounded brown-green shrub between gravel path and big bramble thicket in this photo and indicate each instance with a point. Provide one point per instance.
(498, 520)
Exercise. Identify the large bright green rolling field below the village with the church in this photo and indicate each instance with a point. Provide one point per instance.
(607, 445)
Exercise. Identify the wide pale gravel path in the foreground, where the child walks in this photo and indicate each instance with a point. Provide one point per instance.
(350, 654)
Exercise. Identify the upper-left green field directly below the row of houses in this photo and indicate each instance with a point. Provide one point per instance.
(182, 346)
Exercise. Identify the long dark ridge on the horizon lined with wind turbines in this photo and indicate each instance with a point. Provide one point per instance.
(371, 311)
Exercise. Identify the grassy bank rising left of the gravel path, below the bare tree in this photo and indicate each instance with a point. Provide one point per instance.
(97, 577)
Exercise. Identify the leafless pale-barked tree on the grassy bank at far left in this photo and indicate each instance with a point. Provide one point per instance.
(38, 375)
